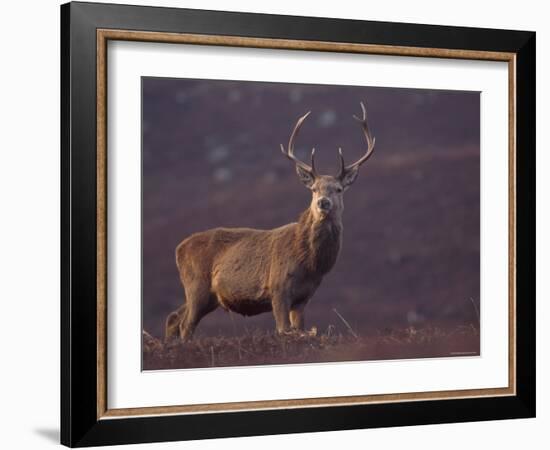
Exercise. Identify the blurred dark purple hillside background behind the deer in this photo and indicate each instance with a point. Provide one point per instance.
(410, 254)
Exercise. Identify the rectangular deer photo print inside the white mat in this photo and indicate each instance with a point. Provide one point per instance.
(249, 256)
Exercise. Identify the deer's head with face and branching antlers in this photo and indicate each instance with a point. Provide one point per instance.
(327, 190)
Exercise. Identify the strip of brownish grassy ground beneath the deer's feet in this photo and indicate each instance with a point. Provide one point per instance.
(260, 347)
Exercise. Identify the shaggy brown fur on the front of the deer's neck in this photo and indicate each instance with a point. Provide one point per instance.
(318, 241)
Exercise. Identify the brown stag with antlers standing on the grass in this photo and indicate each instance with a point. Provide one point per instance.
(251, 271)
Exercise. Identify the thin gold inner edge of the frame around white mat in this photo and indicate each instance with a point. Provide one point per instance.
(103, 36)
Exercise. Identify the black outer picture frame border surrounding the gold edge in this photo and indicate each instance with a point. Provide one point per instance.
(80, 425)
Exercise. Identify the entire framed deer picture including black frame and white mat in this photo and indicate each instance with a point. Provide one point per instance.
(214, 285)
